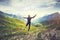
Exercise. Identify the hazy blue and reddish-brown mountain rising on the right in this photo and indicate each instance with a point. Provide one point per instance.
(50, 18)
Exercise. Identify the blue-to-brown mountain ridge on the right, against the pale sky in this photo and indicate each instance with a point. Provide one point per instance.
(53, 16)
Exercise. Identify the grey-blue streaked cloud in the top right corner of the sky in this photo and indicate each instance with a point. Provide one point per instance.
(55, 4)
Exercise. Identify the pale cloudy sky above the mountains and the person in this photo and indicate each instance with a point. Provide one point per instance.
(30, 7)
